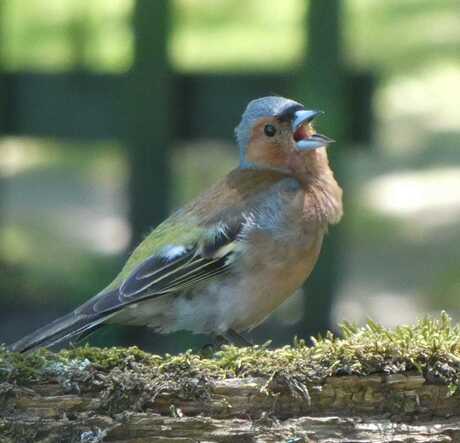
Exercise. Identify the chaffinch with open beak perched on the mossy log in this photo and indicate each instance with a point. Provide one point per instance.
(222, 263)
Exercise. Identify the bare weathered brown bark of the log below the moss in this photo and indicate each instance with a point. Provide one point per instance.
(126, 404)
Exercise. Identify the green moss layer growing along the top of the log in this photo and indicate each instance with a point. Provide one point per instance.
(430, 347)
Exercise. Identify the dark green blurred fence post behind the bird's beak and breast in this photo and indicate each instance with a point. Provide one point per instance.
(321, 85)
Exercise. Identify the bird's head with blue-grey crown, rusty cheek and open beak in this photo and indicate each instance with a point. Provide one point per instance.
(277, 132)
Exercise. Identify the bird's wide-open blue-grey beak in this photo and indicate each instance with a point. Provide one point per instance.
(305, 136)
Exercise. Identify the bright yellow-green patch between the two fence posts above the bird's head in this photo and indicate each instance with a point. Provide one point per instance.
(222, 35)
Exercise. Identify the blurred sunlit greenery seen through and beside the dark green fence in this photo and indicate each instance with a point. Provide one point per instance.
(48, 185)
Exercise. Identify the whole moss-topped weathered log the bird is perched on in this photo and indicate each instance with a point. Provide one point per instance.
(372, 385)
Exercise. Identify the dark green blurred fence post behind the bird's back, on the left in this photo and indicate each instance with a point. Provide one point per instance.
(147, 111)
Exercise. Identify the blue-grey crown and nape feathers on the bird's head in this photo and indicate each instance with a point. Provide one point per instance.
(261, 107)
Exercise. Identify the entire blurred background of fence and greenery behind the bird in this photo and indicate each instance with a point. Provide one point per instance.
(114, 112)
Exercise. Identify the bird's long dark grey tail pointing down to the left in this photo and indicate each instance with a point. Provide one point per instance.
(69, 327)
